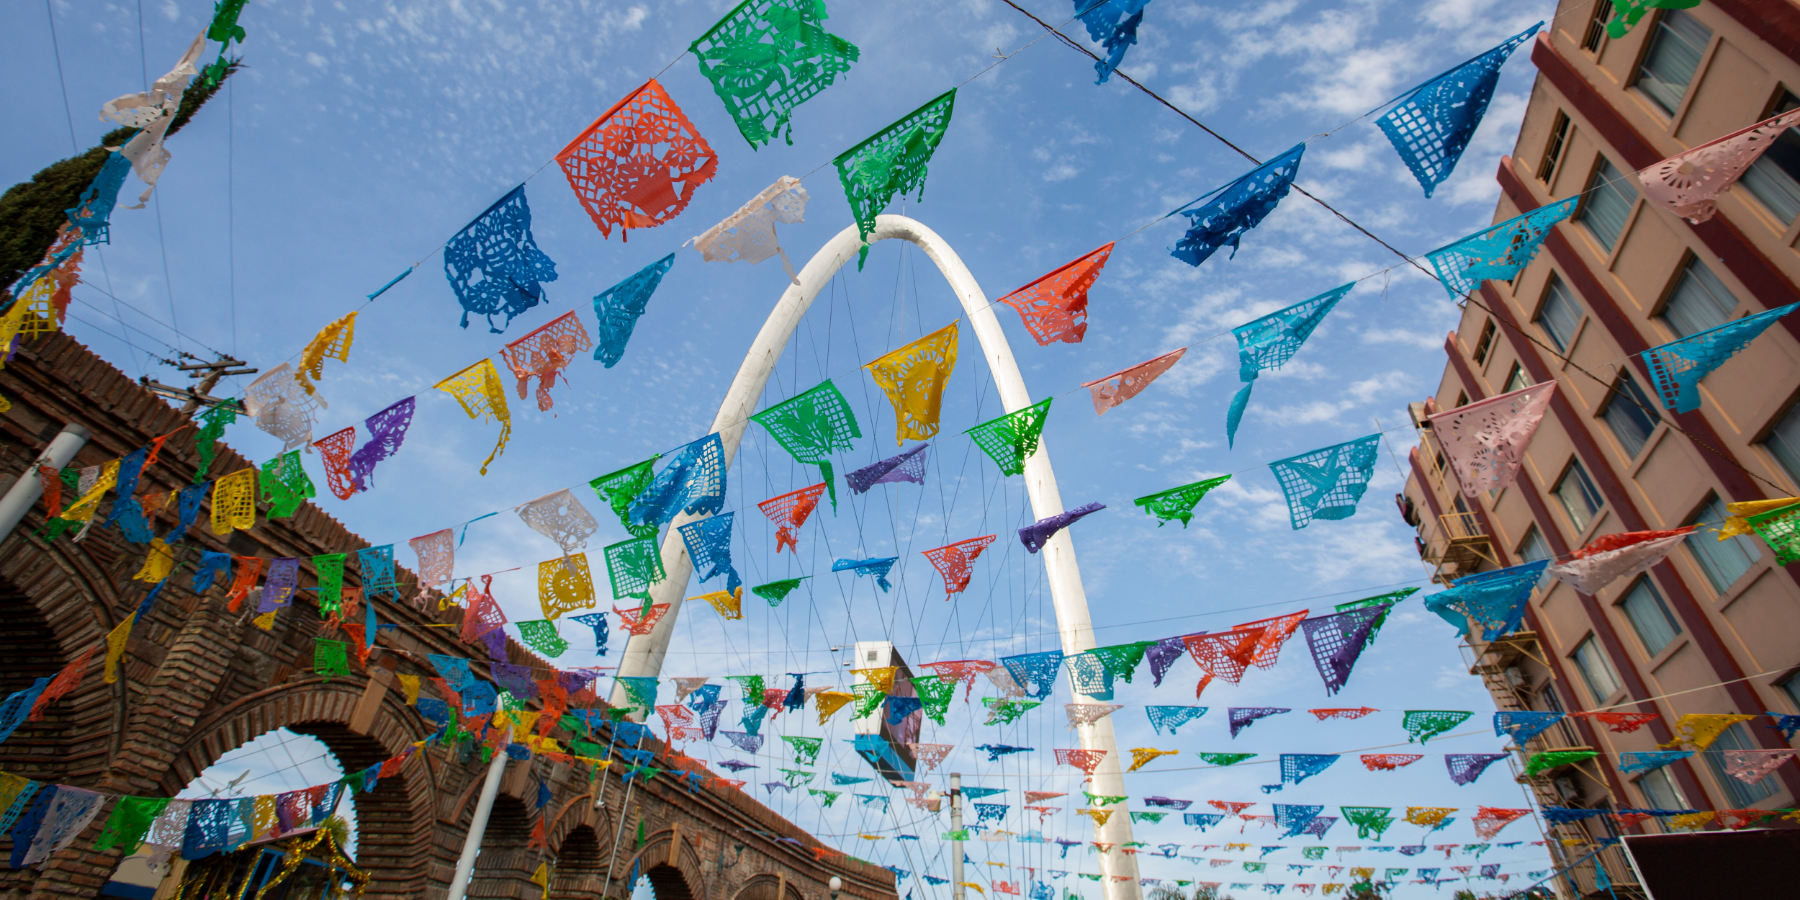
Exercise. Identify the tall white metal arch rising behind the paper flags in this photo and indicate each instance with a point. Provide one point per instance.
(643, 656)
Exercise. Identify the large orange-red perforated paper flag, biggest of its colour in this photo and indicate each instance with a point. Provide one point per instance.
(640, 163)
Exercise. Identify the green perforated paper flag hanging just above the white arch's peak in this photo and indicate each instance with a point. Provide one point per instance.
(892, 161)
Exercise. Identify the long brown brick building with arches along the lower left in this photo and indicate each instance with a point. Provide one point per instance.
(199, 681)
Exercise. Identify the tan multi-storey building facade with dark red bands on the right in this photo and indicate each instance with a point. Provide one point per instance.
(1716, 627)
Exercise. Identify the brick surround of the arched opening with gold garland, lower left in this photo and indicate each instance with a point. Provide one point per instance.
(393, 822)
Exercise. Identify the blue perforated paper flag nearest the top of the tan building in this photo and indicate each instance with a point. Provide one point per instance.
(1434, 123)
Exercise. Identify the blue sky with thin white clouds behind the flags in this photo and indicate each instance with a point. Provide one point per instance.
(361, 138)
